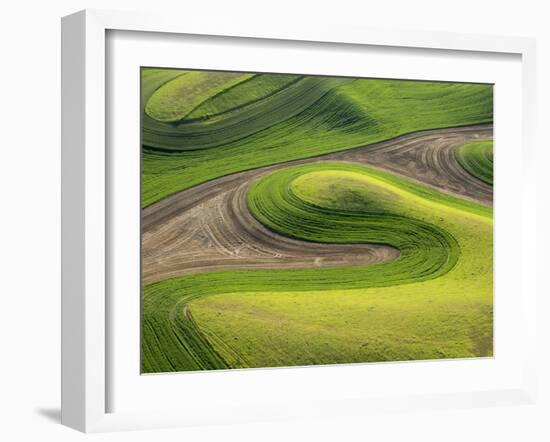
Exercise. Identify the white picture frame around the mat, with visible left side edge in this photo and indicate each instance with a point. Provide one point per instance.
(85, 208)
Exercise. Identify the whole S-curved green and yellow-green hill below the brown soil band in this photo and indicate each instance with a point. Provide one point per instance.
(434, 301)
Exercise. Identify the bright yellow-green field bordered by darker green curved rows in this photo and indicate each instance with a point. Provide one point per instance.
(446, 317)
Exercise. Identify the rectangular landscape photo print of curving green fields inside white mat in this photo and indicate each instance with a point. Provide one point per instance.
(296, 220)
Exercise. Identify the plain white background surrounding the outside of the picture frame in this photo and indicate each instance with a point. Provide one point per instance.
(29, 179)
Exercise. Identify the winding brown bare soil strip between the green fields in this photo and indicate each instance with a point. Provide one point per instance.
(208, 227)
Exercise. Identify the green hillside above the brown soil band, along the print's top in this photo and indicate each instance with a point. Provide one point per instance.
(270, 118)
